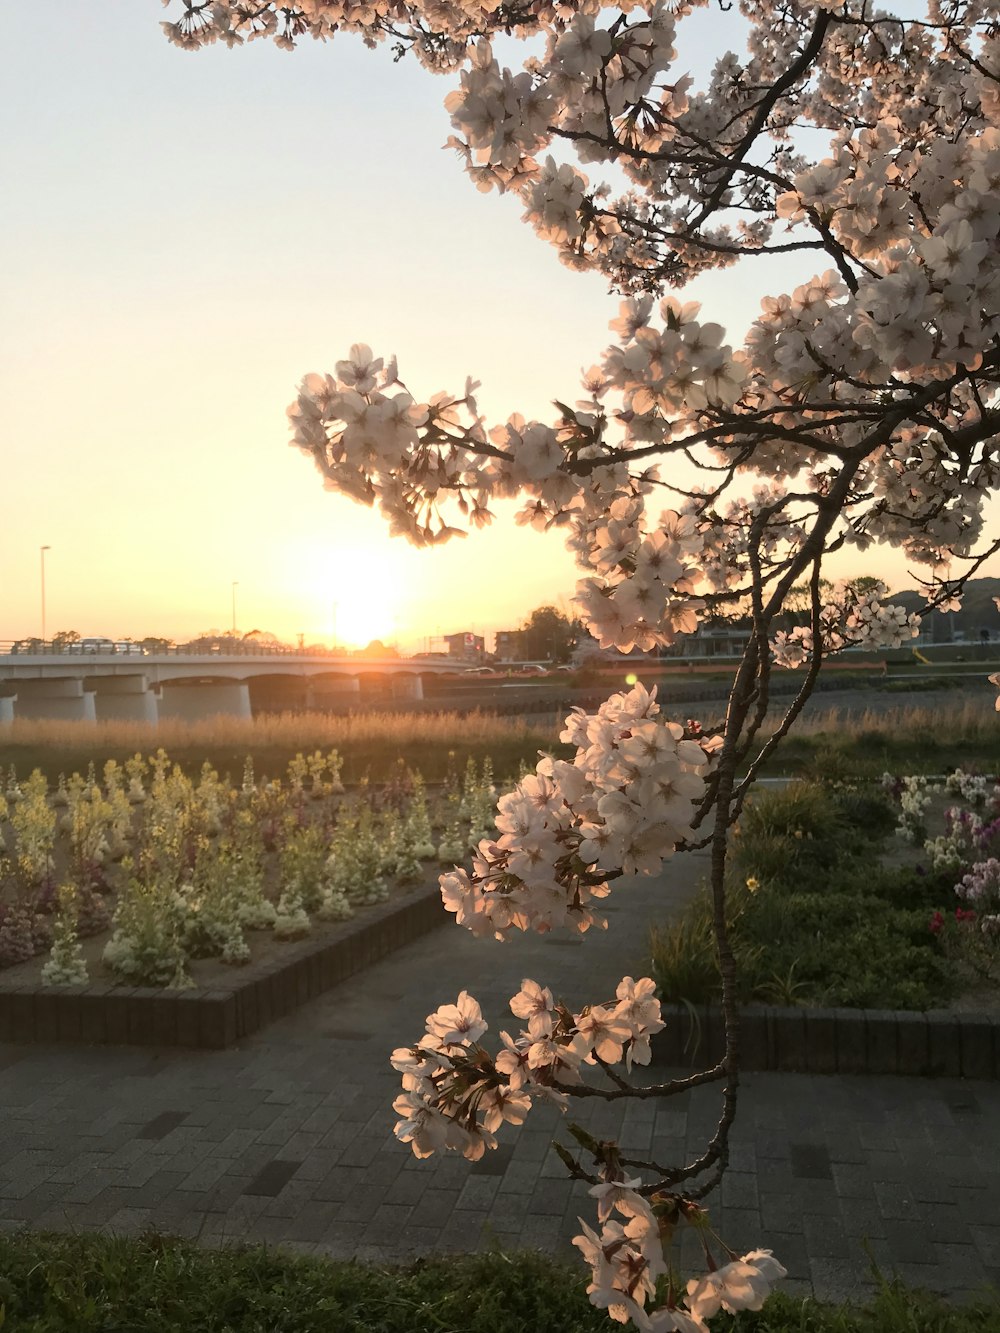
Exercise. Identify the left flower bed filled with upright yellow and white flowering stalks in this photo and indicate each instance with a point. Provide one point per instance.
(147, 879)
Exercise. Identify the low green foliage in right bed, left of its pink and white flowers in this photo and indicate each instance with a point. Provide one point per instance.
(813, 920)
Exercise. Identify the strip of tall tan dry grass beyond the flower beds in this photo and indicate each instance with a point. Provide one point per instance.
(861, 734)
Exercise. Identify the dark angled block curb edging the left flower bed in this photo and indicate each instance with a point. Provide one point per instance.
(109, 1014)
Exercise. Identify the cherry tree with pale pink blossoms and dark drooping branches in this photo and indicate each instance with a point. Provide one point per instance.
(861, 409)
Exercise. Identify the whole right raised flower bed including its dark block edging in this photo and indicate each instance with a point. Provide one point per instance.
(842, 966)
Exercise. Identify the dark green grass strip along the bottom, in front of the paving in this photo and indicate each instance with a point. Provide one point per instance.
(101, 1284)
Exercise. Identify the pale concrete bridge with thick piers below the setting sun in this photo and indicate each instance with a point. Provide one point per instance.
(147, 687)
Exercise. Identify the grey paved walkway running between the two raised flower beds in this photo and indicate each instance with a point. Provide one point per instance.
(289, 1139)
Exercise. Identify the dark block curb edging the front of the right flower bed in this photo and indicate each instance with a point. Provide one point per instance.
(845, 1042)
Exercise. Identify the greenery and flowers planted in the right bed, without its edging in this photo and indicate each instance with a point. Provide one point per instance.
(833, 907)
